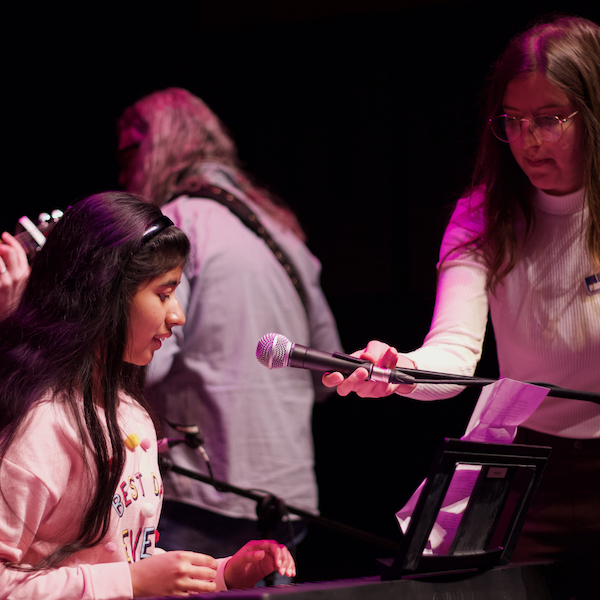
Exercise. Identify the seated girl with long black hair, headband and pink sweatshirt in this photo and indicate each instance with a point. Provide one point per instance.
(80, 489)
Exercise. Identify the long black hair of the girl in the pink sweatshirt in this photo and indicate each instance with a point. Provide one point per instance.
(68, 335)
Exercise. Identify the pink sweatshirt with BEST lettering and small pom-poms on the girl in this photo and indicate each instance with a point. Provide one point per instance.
(44, 491)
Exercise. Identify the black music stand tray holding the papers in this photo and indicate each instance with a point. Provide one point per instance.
(492, 521)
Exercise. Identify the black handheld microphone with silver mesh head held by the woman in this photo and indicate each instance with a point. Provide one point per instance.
(275, 351)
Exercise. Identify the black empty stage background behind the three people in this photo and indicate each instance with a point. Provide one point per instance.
(362, 114)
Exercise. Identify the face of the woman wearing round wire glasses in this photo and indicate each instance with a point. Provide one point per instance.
(554, 167)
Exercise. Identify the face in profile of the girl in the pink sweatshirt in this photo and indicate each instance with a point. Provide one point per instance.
(154, 311)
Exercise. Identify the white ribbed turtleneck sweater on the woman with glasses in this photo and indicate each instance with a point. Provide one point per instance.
(546, 322)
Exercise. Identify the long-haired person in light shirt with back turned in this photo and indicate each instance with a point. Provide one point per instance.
(256, 423)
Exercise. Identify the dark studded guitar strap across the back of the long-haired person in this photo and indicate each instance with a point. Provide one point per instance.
(249, 218)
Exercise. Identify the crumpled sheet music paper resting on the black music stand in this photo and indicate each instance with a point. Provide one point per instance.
(501, 408)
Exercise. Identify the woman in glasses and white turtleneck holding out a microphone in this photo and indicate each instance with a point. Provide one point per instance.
(524, 244)
